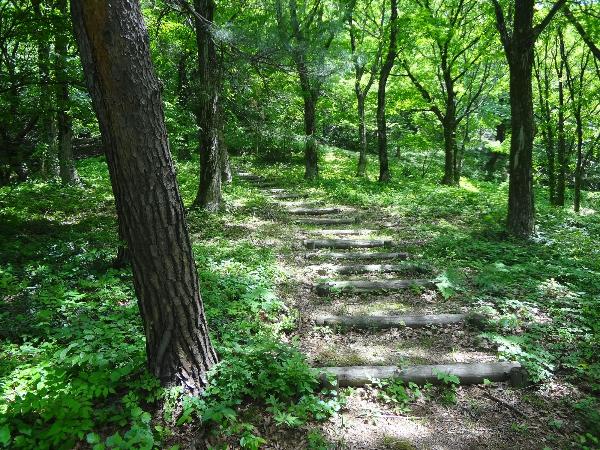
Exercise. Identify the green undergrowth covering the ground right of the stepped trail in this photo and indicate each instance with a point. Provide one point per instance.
(541, 297)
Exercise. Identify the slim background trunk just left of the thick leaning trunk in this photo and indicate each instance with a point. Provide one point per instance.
(68, 171)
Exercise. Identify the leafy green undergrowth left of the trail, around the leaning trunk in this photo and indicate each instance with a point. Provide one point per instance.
(72, 356)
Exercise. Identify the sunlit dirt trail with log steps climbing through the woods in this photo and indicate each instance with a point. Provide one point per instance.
(369, 309)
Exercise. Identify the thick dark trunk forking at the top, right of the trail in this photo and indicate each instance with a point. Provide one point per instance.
(519, 49)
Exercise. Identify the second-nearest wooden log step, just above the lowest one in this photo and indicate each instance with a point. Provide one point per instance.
(382, 322)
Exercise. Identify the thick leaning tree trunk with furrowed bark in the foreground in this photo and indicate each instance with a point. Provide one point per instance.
(114, 48)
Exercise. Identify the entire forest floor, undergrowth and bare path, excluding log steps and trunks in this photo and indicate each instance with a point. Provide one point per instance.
(71, 342)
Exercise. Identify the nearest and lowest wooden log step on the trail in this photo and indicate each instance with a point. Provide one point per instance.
(467, 373)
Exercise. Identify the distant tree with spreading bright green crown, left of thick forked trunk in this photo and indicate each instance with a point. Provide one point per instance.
(454, 43)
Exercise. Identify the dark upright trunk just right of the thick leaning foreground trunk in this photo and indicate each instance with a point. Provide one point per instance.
(209, 191)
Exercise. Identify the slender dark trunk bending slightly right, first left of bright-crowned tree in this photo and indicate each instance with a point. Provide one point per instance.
(384, 73)
